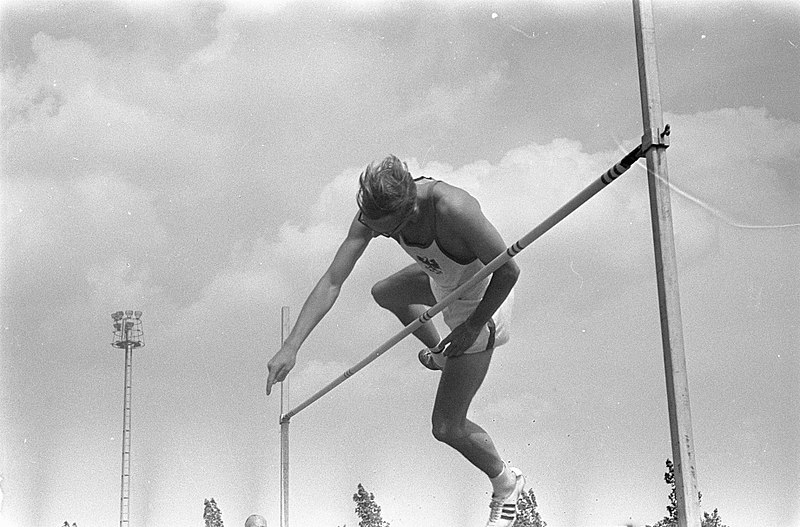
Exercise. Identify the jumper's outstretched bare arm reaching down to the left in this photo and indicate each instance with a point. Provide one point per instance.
(319, 301)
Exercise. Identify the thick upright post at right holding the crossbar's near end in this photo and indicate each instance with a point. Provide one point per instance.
(655, 141)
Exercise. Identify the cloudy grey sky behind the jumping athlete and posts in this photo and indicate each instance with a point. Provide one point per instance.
(198, 161)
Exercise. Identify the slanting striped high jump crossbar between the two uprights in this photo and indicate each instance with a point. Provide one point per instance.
(599, 184)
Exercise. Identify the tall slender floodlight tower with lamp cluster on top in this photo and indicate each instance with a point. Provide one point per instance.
(128, 335)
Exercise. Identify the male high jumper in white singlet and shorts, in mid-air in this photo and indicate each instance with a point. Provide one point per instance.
(447, 235)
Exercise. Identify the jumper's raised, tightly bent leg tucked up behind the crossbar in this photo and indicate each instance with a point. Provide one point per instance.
(407, 294)
